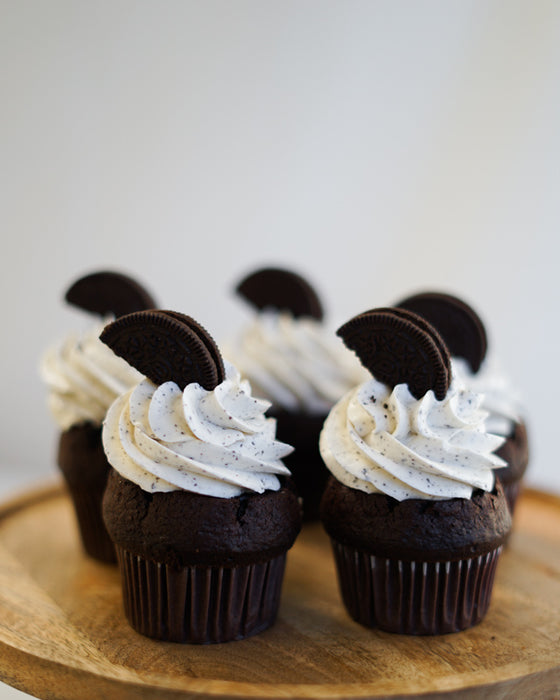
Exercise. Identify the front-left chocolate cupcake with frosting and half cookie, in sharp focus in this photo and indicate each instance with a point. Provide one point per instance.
(199, 504)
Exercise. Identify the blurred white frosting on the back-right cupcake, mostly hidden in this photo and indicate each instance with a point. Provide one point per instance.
(502, 403)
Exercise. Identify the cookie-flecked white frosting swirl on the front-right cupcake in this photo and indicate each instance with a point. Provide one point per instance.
(380, 440)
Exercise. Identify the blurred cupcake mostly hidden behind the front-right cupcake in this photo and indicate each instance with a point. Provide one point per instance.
(465, 335)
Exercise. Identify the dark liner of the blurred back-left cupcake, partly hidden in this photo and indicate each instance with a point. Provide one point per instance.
(93, 533)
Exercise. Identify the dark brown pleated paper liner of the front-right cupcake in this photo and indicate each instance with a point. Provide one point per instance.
(415, 597)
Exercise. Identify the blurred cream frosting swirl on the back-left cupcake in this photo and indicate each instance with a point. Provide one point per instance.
(83, 377)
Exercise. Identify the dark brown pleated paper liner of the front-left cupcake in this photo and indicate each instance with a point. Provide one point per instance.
(200, 605)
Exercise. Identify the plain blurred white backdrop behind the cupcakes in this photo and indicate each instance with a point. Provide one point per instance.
(377, 147)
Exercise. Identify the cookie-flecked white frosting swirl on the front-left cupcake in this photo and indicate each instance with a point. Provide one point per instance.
(217, 443)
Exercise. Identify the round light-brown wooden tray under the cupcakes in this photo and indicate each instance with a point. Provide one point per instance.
(63, 633)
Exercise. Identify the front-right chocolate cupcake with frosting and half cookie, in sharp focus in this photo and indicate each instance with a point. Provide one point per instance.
(416, 518)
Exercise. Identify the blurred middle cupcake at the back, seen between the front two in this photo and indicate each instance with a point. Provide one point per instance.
(292, 360)
